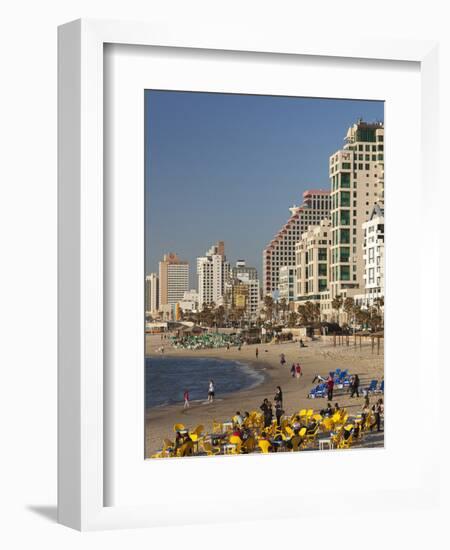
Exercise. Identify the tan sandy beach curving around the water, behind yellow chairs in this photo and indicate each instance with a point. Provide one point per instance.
(319, 357)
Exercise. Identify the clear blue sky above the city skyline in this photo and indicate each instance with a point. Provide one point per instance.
(228, 167)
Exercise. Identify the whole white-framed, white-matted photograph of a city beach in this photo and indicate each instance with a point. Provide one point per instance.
(235, 222)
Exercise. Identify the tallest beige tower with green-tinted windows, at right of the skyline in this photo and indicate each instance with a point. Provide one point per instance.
(357, 183)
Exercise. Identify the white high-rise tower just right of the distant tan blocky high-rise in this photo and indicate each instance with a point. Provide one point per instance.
(213, 271)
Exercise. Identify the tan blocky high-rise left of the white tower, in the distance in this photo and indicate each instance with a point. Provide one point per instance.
(173, 279)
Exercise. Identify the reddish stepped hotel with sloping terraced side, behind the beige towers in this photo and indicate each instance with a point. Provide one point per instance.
(281, 249)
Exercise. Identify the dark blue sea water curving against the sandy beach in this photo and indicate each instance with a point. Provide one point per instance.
(166, 378)
